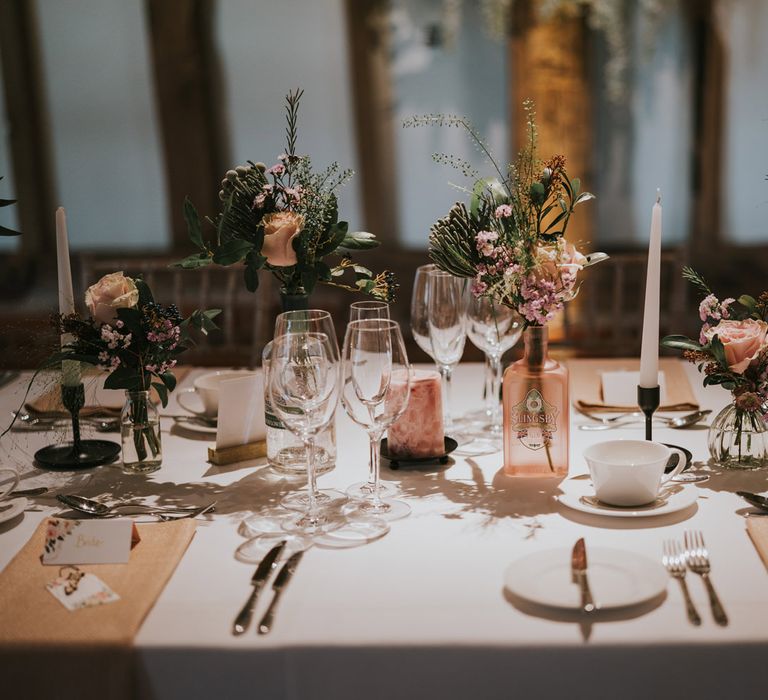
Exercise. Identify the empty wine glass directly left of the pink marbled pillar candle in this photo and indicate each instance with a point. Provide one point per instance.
(376, 381)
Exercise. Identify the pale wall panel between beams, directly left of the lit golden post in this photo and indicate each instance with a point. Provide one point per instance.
(468, 79)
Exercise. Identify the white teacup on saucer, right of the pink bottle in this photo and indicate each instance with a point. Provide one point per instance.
(630, 472)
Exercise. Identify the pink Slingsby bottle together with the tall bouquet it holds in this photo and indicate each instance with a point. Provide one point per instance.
(511, 244)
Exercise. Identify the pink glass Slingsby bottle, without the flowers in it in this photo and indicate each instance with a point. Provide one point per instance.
(536, 411)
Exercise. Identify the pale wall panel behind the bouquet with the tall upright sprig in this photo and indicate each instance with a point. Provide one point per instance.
(269, 48)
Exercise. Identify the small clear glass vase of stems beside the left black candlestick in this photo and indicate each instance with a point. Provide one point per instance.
(140, 434)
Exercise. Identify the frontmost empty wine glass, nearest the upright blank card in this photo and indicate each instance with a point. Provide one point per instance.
(304, 391)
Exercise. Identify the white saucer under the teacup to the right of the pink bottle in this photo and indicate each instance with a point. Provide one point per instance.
(673, 498)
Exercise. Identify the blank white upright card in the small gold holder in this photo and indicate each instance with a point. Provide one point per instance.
(241, 411)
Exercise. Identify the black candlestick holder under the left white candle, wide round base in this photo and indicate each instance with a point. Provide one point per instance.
(78, 454)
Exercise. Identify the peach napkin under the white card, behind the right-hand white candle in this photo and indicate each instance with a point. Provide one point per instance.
(586, 386)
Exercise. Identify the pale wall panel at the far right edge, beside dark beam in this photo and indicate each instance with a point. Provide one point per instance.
(743, 181)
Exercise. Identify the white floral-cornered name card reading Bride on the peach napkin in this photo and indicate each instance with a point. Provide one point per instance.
(87, 541)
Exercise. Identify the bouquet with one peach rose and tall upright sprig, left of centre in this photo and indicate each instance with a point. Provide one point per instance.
(284, 219)
